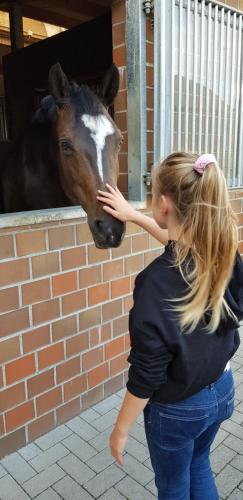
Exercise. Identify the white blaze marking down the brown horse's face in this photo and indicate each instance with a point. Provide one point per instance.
(100, 127)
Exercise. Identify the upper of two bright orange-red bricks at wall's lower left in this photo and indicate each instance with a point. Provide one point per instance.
(20, 368)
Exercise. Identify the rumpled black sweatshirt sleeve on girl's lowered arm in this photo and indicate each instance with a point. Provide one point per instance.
(149, 355)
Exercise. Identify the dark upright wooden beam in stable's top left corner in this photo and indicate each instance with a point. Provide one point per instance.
(16, 26)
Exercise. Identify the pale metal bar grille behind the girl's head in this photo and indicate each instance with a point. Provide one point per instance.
(199, 82)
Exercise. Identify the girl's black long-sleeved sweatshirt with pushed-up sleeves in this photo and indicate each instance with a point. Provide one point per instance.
(166, 365)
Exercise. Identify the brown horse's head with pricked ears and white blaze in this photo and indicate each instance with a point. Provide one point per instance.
(88, 142)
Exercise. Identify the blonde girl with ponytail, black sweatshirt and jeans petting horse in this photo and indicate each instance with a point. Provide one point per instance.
(183, 325)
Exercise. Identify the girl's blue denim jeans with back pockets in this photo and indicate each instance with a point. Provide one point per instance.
(179, 437)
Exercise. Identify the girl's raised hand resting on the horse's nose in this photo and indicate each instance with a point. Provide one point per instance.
(115, 204)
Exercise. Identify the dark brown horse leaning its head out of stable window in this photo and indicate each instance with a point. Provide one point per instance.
(68, 151)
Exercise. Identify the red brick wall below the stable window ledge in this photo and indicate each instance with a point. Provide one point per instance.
(63, 323)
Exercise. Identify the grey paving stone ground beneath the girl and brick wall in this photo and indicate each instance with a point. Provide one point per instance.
(73, 462)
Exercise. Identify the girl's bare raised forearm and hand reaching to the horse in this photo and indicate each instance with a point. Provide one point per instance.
(116, 205)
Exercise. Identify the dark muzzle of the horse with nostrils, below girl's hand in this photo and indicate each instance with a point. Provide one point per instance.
(107, 233)
